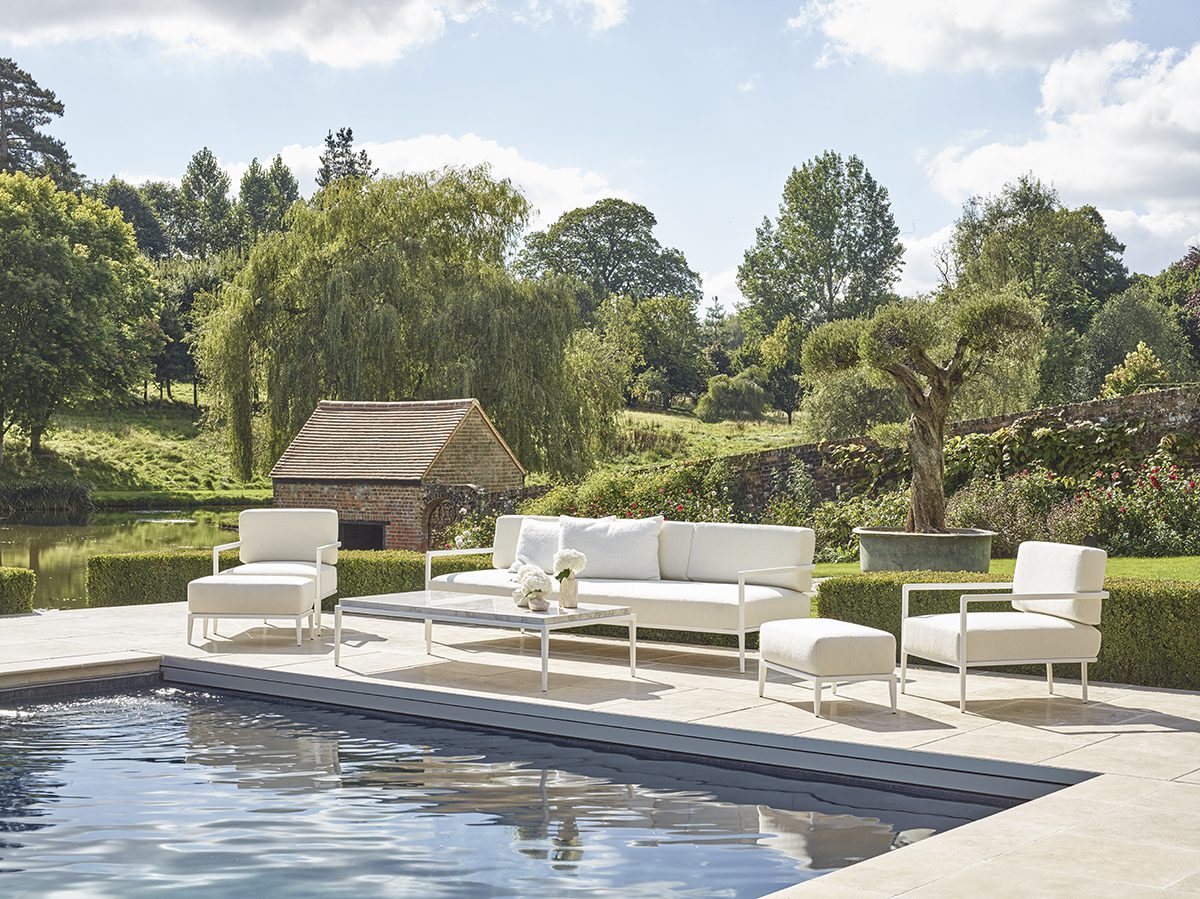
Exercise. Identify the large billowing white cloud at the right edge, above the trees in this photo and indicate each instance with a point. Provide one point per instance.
(1120, 130)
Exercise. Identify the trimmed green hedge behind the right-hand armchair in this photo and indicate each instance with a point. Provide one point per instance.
(1150, 636)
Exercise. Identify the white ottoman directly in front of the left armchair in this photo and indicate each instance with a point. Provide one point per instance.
(253, 597)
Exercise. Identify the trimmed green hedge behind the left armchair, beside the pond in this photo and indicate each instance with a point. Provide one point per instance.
(141, 578)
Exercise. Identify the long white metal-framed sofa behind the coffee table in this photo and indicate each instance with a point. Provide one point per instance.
(713, 578)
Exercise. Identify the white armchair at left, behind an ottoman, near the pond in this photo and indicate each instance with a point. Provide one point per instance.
(290, 543)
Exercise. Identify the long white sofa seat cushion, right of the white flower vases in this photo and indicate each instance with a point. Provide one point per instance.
(694, 606)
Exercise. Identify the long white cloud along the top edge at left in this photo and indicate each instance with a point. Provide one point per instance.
(344, 34)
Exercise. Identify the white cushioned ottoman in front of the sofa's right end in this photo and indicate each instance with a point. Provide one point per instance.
(826, 650)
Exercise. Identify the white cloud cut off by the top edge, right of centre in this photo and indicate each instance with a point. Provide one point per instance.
(921, 35)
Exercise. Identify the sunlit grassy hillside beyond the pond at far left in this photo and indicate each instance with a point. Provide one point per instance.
(135, 454)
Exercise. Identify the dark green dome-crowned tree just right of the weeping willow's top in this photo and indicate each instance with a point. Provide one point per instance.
(611, 248)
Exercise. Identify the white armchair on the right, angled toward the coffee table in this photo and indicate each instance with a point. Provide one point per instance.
(1057, 596)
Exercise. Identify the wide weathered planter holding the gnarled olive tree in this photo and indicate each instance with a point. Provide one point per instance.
(893, 550)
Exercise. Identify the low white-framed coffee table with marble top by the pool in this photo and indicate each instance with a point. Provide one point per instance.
(477, 609)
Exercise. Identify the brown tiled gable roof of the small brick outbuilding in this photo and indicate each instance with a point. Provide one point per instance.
(374, 441)
